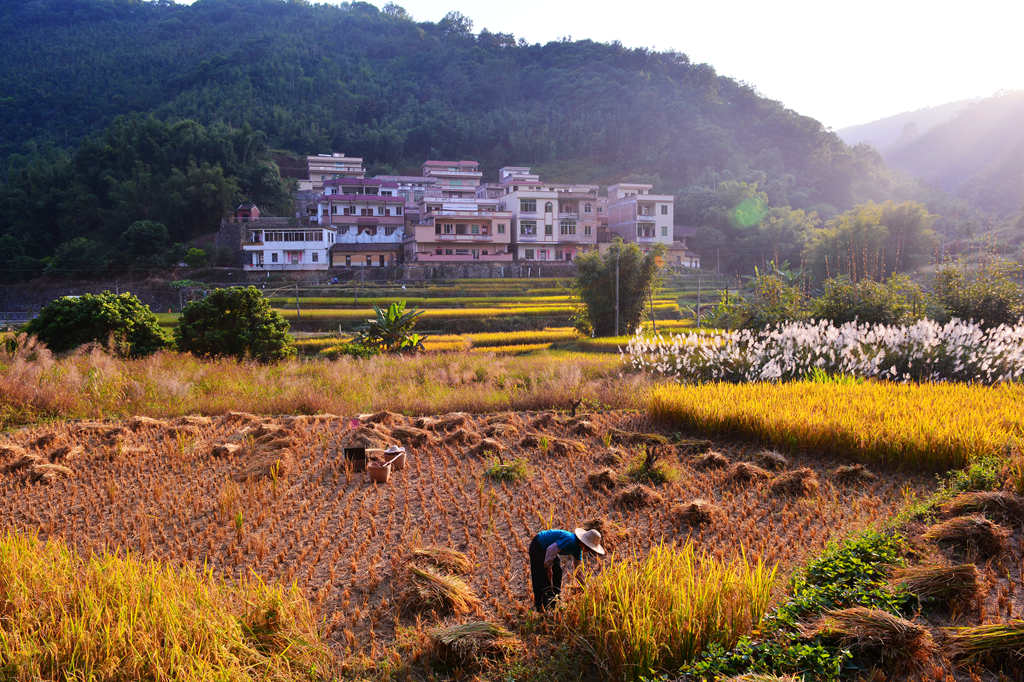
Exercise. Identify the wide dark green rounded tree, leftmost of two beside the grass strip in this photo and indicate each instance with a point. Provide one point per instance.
(119, 322)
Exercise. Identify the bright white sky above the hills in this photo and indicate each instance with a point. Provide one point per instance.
(841, 63)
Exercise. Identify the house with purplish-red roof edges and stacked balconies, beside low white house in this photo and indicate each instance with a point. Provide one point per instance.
(367, 220)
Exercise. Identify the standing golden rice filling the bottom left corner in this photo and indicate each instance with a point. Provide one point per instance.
(110, 618)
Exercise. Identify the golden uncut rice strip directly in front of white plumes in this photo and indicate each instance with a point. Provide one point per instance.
(931, 427)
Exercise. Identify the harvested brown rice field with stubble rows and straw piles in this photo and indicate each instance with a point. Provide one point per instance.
(275, 496)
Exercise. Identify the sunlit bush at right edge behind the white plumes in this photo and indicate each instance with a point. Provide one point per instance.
(992, 295)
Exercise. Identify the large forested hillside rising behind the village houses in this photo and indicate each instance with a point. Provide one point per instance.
(380, 86)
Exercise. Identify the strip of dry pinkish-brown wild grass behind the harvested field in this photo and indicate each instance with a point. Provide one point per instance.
(36, 386)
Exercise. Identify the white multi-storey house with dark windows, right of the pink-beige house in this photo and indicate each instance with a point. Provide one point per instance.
(552, 222)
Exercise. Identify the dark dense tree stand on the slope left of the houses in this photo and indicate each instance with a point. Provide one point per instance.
(127, 195)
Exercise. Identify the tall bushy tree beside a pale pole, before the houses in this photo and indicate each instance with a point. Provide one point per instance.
(596, 285)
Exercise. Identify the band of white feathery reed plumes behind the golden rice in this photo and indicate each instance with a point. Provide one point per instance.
(925, 351)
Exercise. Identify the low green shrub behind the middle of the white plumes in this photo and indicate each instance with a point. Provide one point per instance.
(897, 302)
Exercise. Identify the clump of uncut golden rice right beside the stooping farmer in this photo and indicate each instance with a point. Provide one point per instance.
(651, 615)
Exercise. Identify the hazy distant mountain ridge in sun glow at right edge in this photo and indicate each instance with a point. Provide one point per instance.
(973, 150)
